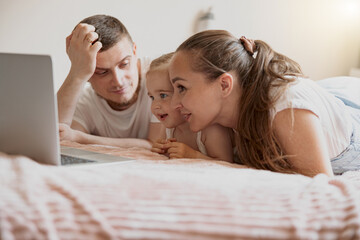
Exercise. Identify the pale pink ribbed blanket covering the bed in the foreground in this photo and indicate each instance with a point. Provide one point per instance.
(156, 198)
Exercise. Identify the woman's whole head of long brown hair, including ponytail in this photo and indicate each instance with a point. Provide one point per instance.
(215, 52)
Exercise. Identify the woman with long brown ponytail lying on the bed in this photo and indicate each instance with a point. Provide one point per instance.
(282, 121)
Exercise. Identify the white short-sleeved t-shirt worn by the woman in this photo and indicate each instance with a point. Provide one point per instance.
(334, 118)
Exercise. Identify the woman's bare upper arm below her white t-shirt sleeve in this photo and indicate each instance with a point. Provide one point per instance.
(303, 140)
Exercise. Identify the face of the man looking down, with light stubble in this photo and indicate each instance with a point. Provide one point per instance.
(116, 76)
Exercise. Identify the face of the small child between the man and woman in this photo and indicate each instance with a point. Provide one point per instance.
(160, 91)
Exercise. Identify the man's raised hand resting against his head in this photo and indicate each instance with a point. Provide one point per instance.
(82, 47)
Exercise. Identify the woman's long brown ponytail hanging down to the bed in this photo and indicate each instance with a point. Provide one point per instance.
(256, 142)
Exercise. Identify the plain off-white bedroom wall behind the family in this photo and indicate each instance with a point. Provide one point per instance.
(322, 35)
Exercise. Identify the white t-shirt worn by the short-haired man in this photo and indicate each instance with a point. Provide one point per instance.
(98, 118)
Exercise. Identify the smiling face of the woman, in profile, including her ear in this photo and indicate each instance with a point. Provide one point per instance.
(198, 99)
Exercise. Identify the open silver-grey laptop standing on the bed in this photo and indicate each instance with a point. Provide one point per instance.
(28, 113)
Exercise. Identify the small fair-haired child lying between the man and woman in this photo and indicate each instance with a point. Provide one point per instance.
(178, 140)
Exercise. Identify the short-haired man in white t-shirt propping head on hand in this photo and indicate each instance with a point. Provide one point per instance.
(115, 109)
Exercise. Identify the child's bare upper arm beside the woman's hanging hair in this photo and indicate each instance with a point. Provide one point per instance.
(218, 144)
